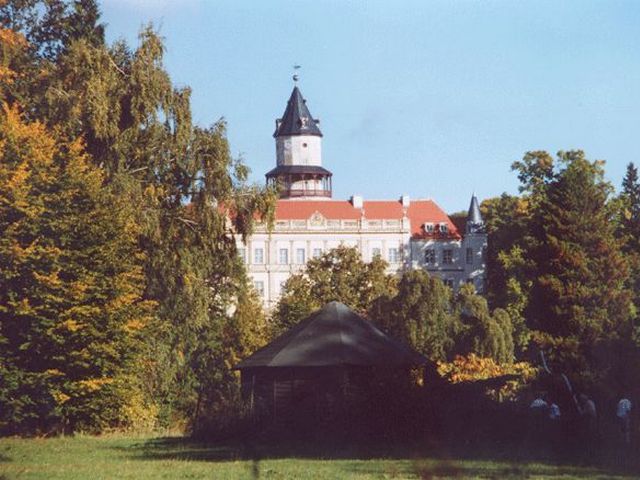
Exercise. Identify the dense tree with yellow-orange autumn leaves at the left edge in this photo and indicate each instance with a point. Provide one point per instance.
(72, 312)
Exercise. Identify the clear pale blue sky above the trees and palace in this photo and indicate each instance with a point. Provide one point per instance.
(434, 99)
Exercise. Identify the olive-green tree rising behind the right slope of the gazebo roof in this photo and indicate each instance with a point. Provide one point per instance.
(420, 314)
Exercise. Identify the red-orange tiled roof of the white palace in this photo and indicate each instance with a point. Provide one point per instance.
(419, 213)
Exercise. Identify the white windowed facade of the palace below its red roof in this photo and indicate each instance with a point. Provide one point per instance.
(271, 257)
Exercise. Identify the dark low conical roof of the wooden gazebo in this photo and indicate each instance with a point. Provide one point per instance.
(333, 336)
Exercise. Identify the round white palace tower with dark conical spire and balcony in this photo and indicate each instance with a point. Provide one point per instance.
(299, 172)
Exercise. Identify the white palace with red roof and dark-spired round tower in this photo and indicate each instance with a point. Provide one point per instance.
(407, 233)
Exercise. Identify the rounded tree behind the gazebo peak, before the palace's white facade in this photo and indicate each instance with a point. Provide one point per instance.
(339, 274)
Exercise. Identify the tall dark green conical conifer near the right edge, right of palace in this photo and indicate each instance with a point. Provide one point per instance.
(579, 288)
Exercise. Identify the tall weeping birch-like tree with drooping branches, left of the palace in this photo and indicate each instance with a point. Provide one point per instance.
(188, 195)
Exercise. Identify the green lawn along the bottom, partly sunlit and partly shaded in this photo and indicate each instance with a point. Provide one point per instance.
(117, 456)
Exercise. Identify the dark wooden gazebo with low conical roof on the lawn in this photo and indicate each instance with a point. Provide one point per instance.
(319, 366)
